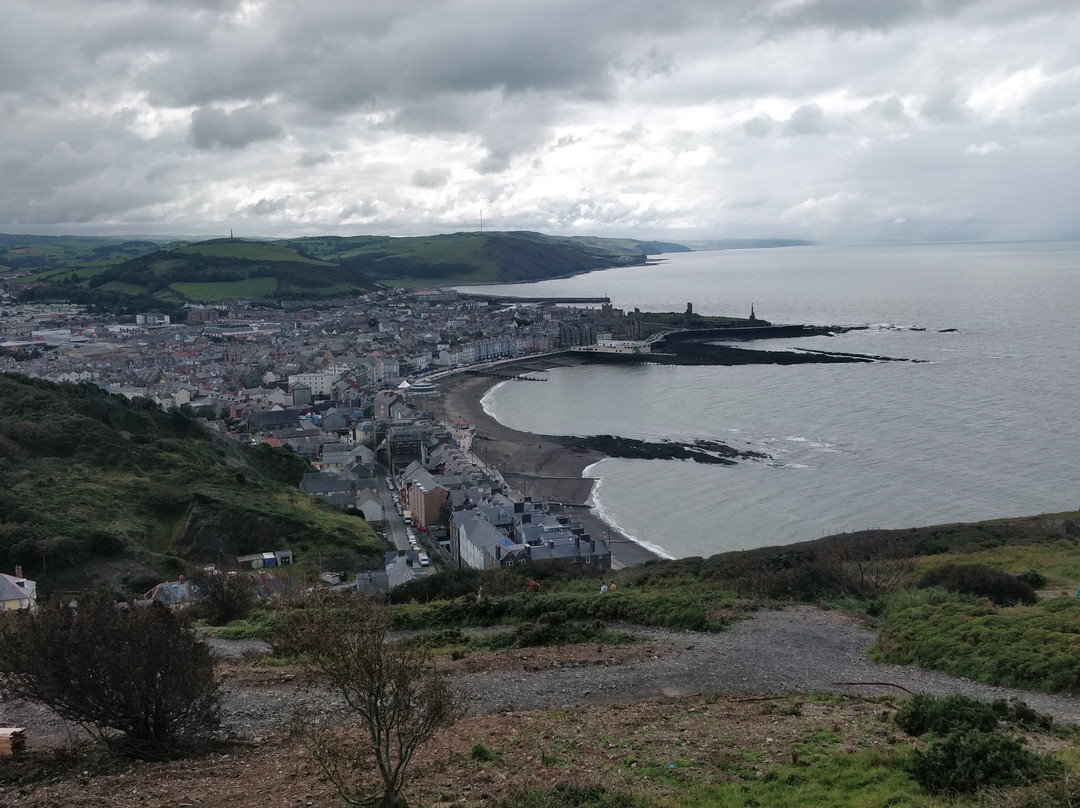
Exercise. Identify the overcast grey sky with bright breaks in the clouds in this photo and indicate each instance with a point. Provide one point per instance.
(846, 120)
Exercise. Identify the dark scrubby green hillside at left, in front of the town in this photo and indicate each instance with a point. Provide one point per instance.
(96, 489)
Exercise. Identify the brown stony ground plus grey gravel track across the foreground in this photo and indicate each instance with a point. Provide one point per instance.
(674, 708)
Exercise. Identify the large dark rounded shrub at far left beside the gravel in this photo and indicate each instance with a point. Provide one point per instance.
(141, 672)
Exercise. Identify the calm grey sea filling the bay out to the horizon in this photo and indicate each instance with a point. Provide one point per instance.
(982, 425)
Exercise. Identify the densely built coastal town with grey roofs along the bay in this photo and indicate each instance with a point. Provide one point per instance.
(357, 388)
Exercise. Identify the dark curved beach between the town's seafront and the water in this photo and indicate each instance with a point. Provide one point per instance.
(538, 466)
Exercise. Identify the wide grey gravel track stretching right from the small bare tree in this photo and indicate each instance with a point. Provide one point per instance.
(798, 650)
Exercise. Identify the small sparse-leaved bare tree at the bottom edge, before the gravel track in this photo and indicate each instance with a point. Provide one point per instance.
(393, 689)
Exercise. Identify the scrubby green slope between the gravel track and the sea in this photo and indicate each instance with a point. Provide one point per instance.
(874, 572)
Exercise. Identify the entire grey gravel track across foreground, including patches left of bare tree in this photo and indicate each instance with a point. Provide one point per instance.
(799, 650)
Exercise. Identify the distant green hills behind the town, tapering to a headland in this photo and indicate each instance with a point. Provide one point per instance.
(144, 275)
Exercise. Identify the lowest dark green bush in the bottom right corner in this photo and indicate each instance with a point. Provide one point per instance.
(968, 760)
